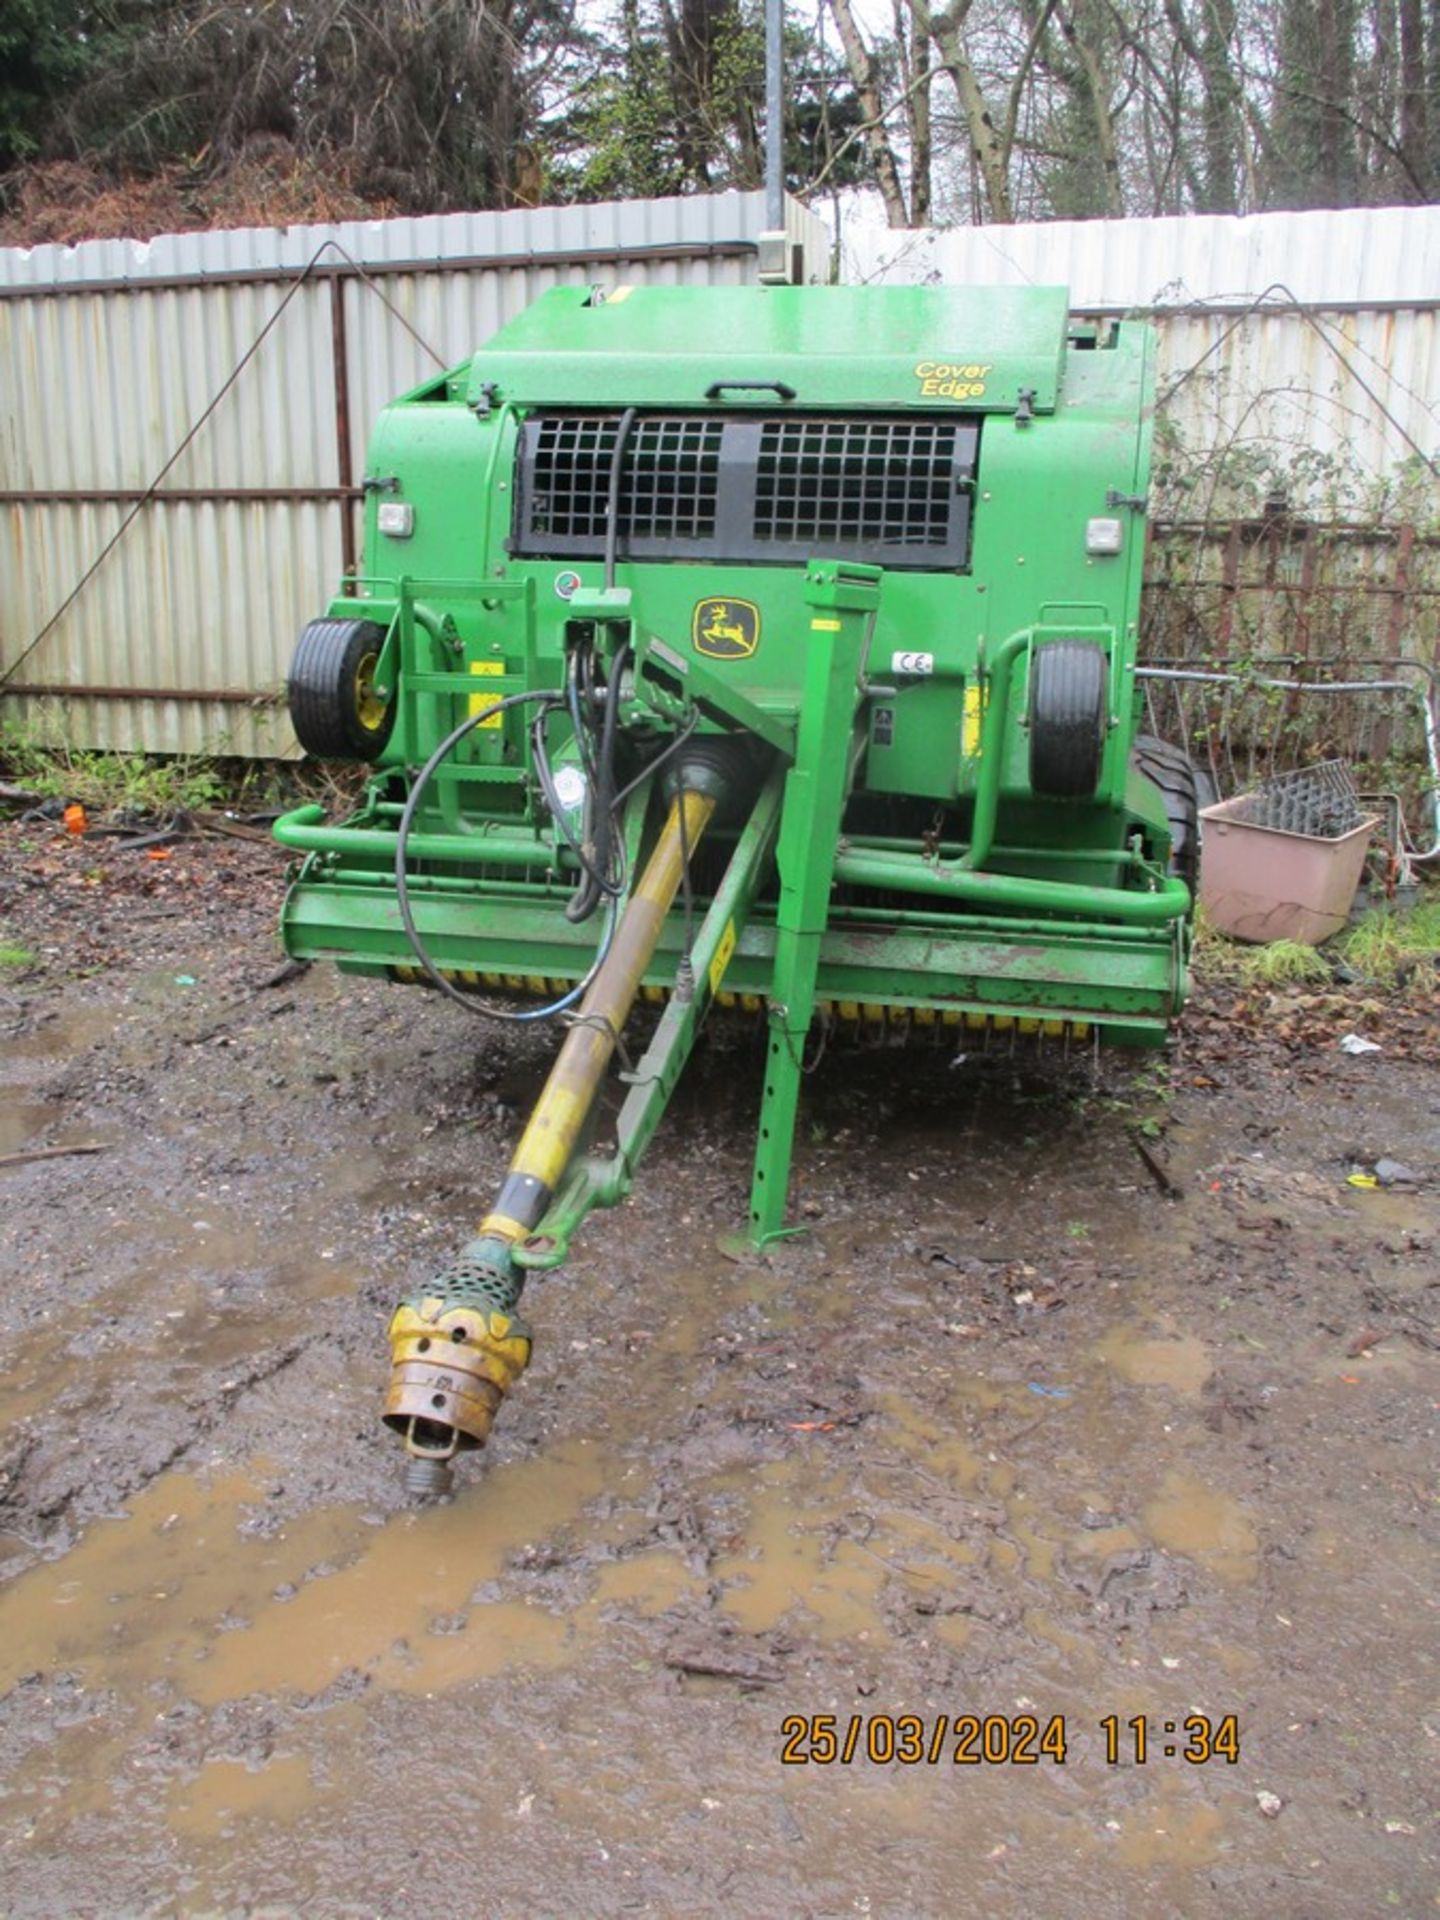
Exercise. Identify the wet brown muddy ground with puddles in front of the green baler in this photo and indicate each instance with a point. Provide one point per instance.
(1007, 1433)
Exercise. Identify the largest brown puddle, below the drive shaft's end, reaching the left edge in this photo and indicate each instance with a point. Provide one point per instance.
(176, 1593)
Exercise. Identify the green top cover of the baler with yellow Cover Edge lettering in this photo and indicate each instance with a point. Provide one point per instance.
(823, 345)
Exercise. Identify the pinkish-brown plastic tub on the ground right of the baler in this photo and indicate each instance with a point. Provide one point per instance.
(1260, 884)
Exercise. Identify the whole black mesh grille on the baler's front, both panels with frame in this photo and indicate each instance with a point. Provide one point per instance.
(752, 487)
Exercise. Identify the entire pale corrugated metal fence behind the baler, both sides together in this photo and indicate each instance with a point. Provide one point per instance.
(1295, 510)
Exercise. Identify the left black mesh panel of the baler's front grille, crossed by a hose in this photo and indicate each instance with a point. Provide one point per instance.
(669, 479)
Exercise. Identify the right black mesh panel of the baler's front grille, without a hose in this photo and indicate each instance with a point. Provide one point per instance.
(855, 483)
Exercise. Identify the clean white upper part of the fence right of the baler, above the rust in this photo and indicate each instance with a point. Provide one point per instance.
(1301, 348)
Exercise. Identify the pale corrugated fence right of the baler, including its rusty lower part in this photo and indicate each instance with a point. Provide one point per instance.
(1295, 510)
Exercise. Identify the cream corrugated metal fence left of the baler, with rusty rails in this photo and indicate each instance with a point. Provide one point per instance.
(231, 537)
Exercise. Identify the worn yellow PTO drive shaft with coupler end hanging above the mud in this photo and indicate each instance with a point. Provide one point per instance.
(458, 1345)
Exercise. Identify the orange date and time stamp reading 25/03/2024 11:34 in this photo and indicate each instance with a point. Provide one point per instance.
(1001, 1740)
